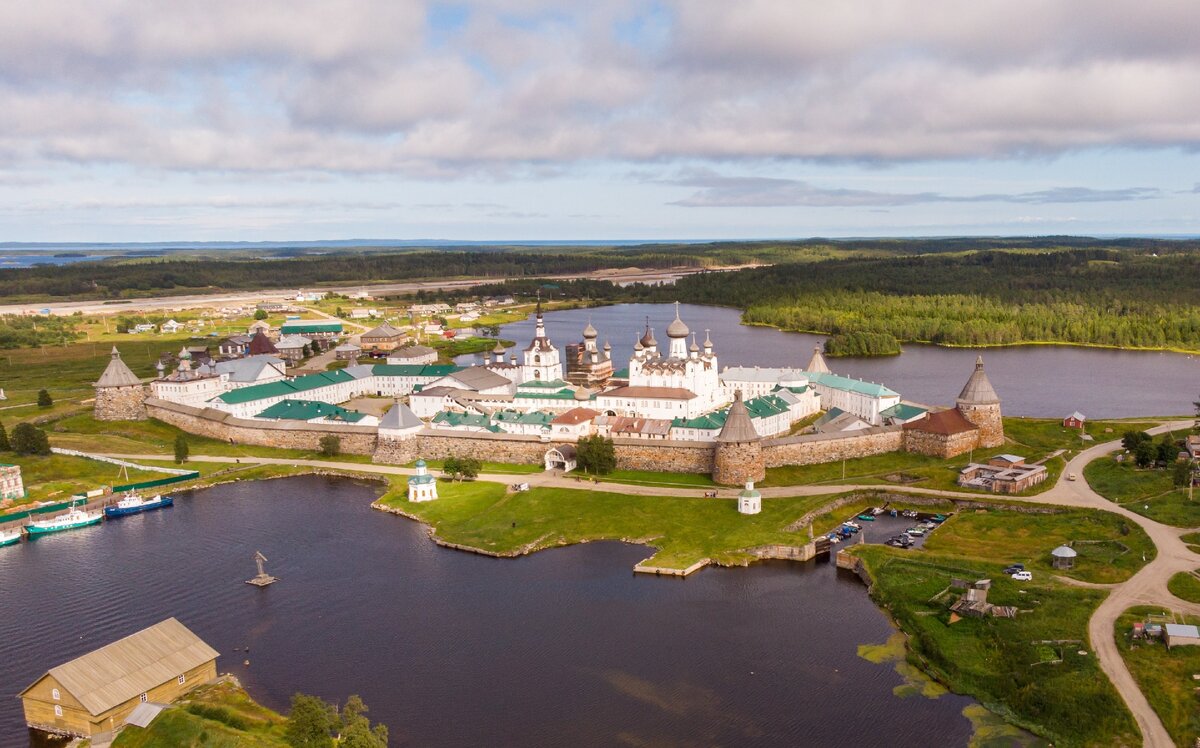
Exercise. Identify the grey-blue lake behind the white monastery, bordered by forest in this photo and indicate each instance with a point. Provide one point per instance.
(1039, 381)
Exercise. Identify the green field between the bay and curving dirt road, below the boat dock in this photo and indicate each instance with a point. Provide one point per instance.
(999, 661)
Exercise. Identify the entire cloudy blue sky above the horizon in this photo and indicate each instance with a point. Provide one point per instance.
(125, 121)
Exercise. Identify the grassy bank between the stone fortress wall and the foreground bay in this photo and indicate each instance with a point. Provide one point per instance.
(484, 516)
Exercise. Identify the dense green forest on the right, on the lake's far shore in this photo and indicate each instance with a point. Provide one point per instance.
(1124, 298)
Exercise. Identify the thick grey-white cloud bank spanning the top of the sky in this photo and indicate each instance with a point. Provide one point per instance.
(525, 87)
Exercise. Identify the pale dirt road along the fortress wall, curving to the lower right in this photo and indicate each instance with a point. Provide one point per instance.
(1147, 588)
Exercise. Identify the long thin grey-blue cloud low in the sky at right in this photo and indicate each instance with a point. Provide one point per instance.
(718, 192)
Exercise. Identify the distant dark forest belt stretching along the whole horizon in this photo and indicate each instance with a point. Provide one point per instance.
(182, 272)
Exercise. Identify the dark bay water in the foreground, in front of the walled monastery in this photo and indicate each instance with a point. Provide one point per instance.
(565, 648)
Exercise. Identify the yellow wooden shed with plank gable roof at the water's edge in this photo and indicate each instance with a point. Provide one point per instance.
(97, 692)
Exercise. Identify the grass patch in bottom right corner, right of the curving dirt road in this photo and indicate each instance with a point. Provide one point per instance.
(1165, 677)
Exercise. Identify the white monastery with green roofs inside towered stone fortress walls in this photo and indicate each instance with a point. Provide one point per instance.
(671, 409)
